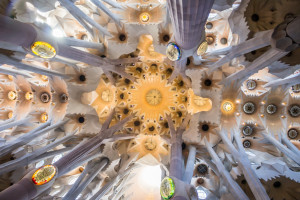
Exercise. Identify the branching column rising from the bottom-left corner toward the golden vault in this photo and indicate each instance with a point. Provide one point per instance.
(26, 189)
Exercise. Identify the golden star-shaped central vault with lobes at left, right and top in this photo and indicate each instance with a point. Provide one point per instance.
(151, 96)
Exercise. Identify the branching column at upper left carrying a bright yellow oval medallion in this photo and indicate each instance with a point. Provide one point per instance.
(21, 37)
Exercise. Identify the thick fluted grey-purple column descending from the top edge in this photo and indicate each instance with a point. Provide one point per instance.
(188, 18)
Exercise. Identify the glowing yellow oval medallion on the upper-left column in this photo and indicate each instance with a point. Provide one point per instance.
(43, 49)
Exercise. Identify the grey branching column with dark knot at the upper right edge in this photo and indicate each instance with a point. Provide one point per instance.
(283, 39)
